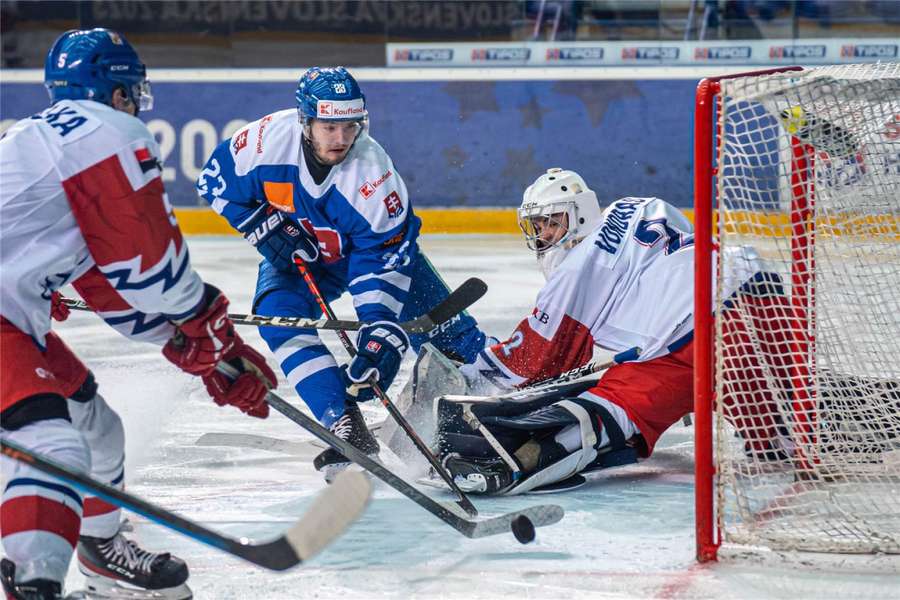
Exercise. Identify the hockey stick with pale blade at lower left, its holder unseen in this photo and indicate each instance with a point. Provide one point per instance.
(332, 511)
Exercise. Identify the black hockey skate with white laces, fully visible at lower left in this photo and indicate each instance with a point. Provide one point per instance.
(117, 567)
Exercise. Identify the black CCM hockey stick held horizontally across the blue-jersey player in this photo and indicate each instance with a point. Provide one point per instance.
(458, 300)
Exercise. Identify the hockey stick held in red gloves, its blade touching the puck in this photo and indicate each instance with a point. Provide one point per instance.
(538, 516)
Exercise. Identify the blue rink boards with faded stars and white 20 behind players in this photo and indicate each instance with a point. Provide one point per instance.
(457, 143)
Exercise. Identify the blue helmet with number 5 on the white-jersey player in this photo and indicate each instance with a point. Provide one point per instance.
(91, 64)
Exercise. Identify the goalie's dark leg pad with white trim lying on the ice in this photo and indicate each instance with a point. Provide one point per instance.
(535, 443)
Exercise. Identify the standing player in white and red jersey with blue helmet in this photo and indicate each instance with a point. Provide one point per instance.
(82, 203)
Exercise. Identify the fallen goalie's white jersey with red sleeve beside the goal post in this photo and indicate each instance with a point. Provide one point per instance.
(627, 287)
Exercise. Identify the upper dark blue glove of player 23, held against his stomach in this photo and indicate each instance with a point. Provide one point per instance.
(278, 238)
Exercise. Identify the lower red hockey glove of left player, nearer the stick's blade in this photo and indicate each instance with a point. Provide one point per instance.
(248, 391)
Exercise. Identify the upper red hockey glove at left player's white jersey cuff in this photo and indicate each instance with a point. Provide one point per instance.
(201, 341)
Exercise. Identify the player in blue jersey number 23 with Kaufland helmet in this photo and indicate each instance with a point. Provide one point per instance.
(315, 184)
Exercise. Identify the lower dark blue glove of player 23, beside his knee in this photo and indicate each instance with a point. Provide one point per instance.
(380, 349)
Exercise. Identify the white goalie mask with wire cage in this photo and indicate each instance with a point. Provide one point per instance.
(558, 210)
